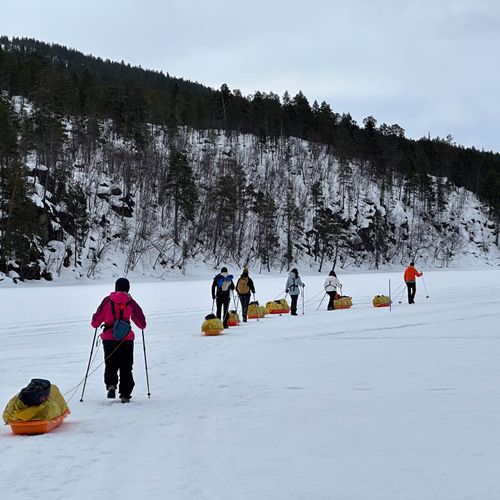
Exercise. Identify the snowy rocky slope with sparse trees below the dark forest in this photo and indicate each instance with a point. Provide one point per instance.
(259, 202)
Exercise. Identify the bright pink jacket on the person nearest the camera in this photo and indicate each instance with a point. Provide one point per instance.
(131, 311)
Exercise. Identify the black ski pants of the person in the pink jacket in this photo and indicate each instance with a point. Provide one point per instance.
(119, 357)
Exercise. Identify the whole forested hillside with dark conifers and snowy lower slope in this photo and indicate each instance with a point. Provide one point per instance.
(106, 166)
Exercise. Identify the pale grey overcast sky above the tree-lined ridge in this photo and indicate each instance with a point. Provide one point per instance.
(430, 66)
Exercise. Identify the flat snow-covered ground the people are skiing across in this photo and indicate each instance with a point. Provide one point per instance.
(356, 404)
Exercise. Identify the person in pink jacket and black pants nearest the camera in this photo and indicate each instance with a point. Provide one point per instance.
(118, 354)
